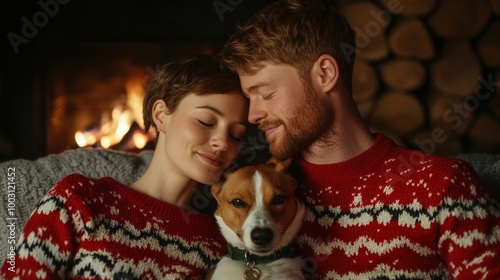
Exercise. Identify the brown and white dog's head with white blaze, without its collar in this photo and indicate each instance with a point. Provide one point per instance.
(257, 209)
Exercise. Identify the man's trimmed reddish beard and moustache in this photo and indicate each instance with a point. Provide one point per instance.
(308, 123)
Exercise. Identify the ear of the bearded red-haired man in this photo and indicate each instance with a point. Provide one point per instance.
(325, 73)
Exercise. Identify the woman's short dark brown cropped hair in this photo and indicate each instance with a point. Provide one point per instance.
(200, 74)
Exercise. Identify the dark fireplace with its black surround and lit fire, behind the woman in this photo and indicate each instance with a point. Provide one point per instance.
(84, 60)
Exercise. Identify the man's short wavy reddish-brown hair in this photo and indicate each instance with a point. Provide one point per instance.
(293, 32)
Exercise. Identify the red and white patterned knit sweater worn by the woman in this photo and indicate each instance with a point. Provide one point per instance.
(88, 228)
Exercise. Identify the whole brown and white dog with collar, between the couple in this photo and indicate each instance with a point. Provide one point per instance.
(259, 216)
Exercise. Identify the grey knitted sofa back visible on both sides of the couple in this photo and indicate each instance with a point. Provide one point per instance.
(32, 179)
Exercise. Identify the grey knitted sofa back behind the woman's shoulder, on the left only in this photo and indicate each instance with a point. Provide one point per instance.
(33, 179)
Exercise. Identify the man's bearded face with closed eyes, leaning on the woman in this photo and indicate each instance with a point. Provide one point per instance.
(291, 113)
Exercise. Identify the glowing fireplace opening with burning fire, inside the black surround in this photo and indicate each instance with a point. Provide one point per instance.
(94, 93)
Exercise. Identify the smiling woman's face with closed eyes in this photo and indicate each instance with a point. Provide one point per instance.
(202, 135)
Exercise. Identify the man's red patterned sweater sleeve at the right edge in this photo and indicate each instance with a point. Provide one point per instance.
(469, 227)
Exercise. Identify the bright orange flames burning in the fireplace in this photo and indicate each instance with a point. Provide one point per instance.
(124, 121)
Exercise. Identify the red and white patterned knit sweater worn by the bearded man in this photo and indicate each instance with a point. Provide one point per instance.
(393, 213)
